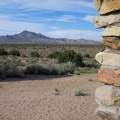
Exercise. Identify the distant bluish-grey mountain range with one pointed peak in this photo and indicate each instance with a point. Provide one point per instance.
(31, 37)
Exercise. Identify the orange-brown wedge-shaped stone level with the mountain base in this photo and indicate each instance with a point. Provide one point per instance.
(115, 44)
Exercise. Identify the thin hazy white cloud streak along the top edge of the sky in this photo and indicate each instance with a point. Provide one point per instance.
(55, 5)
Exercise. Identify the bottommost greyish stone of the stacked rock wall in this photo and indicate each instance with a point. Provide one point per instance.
(107, 113)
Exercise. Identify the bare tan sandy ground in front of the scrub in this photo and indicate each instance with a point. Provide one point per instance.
(33, 98)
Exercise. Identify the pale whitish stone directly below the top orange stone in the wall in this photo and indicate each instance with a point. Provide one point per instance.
(103, 21)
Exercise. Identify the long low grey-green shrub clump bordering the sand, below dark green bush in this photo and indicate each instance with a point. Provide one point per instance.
(48, 69)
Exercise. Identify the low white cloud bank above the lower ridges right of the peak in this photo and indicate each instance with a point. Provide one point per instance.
(74, 34)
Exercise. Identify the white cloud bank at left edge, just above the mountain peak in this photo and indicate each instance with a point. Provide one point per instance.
(13, 27)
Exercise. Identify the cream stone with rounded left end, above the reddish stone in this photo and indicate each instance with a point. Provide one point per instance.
(108, 59)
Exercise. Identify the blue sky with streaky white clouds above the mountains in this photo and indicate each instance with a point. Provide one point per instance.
(54, 18)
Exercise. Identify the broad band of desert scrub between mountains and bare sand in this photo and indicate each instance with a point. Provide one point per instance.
(18, 60)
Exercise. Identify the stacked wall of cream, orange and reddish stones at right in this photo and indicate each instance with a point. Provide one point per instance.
(108, 96)
